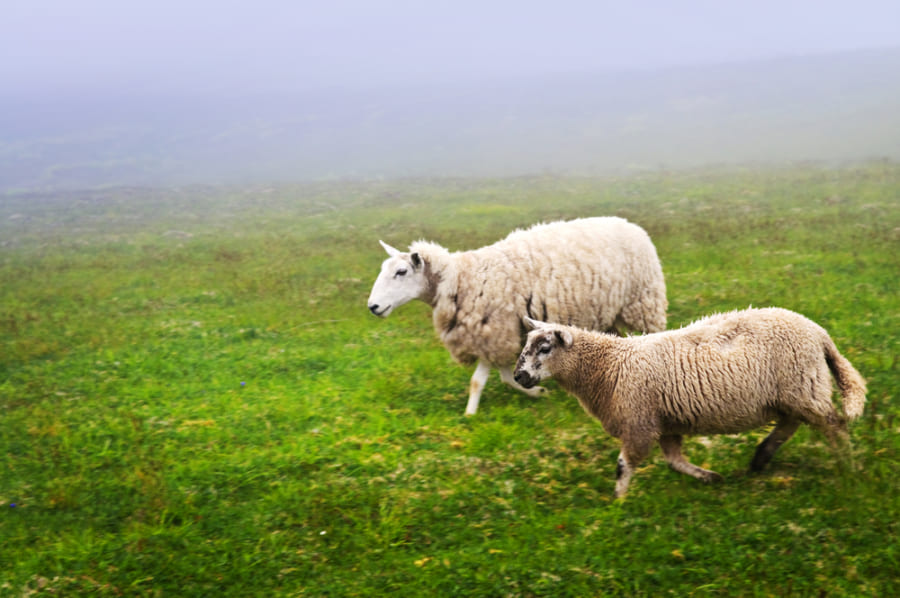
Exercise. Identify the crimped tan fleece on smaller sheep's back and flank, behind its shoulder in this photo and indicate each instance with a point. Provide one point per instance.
(732, 372)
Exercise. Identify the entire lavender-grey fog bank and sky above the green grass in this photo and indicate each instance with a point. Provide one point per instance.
(100, 92)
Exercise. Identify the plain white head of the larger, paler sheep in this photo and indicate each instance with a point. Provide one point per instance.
(401, 280)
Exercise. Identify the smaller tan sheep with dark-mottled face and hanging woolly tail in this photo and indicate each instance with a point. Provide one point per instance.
(723, 374)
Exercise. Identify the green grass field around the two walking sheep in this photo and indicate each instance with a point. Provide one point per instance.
(194, 400)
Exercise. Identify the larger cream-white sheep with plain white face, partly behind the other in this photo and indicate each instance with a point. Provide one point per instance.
(598, 273)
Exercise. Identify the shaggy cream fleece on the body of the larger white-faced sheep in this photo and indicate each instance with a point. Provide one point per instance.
(581, 273)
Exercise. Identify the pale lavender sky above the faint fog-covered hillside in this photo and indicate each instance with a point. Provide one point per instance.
(57, 46)
